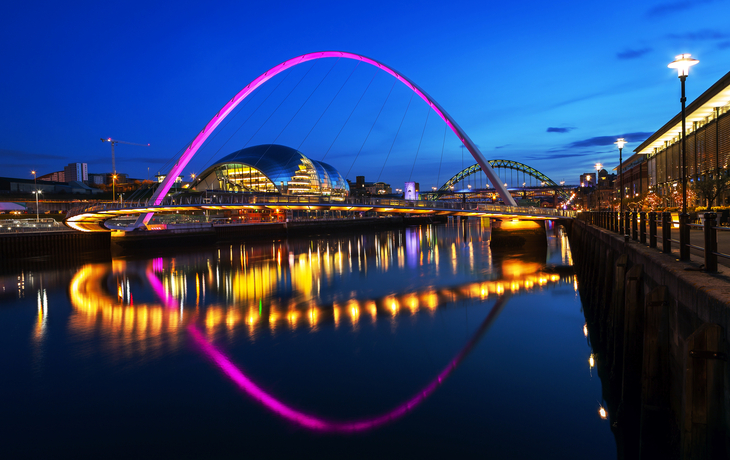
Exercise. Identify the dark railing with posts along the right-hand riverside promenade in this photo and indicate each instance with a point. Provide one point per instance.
(633, 225)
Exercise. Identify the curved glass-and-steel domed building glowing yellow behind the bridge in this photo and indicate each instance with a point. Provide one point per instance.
(272, 169)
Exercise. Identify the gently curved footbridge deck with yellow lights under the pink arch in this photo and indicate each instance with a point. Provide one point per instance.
(92, 218)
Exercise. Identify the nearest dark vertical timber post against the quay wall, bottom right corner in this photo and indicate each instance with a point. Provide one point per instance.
(703, 430)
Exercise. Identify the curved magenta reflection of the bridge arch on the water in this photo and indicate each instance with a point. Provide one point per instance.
(311, 421)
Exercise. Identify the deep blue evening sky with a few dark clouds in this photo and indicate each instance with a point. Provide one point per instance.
(549, 84)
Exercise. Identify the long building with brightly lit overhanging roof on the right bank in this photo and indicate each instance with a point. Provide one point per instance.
(657, 164)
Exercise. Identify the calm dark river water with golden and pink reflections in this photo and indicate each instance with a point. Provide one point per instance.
(411, 343)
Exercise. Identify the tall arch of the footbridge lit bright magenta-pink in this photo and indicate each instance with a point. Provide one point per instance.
(198, 141)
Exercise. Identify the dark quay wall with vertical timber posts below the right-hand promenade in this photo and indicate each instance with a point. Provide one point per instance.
(658, 328)
